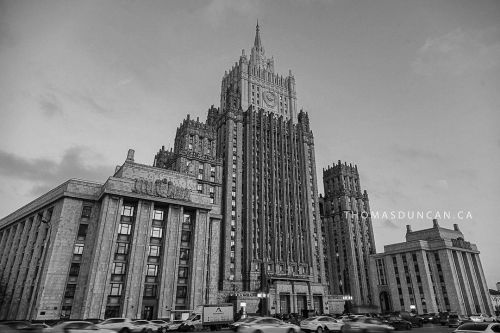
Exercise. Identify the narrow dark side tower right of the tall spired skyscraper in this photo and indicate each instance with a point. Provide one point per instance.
(347, 222)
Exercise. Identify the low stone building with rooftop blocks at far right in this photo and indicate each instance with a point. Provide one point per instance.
(435, 270)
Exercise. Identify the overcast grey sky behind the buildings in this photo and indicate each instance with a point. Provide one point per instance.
(407, 90)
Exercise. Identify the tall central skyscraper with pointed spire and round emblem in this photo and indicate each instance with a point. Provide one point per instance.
(272, 236)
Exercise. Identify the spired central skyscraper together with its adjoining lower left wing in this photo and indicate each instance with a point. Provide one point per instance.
(230, 214)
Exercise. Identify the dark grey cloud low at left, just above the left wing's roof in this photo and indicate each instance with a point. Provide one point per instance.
(47, 173)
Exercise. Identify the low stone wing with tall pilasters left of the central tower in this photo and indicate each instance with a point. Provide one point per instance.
(145, 244)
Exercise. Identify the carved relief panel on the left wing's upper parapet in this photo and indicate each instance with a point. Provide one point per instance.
(162, 188)
